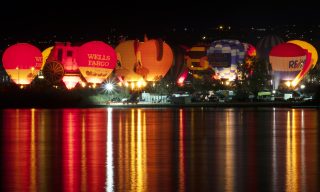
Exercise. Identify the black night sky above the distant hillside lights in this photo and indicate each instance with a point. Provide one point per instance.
(94, 17)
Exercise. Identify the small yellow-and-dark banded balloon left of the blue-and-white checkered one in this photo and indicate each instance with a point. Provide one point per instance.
(197, 58)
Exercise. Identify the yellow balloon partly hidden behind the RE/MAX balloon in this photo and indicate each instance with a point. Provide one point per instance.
(312, 52)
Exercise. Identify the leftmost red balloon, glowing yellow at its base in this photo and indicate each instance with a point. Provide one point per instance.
(22, 62)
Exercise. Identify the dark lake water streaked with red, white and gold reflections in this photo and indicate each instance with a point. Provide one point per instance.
(188, 149)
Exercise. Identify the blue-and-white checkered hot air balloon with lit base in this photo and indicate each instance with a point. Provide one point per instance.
(224, 56)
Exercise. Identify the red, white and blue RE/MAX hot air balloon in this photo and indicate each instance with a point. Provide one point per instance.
(287, 60)
